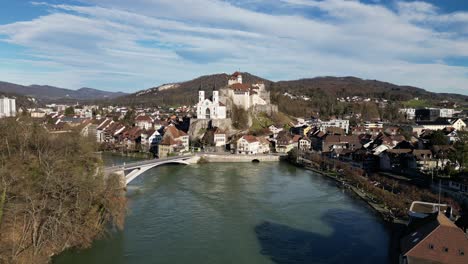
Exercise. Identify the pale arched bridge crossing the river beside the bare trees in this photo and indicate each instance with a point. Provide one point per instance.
(135, 169)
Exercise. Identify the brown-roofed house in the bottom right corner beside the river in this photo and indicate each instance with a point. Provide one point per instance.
(435, 239)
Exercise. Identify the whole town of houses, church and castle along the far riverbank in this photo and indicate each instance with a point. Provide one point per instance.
(417, 158)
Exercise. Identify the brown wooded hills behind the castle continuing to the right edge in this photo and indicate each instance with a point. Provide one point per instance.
(330, 87)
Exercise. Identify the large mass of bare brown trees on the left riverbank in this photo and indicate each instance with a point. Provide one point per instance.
(52, 194)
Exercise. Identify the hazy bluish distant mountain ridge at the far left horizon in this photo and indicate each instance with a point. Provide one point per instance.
(51, 93)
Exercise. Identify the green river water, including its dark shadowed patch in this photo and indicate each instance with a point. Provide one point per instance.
(239, 213)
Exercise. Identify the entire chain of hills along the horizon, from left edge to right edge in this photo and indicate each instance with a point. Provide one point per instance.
(185, 93)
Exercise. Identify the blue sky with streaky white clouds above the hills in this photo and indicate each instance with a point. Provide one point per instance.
(122, 45)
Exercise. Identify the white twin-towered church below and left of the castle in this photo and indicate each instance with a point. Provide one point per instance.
(210, 108)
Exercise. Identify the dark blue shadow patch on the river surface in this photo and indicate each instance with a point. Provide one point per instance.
(287, 245)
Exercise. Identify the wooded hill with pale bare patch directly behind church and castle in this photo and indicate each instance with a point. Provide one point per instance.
(183, 93)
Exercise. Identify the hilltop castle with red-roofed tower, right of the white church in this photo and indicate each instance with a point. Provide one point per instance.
(246, 95)
